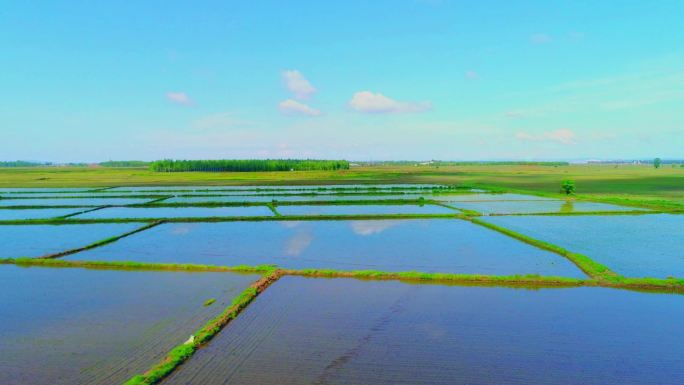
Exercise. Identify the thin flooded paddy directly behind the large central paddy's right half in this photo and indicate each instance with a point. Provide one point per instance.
(363, 209)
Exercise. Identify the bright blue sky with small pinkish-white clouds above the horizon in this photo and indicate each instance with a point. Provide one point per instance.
(363, 80)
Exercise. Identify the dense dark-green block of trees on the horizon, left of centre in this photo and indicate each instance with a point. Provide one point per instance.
(244, 165)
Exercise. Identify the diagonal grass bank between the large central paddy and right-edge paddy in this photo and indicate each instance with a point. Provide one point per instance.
(584, 263)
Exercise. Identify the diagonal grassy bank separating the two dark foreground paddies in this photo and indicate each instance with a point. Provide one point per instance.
(181, 353)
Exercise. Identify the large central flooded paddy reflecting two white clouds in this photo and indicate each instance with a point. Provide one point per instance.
(442, 245)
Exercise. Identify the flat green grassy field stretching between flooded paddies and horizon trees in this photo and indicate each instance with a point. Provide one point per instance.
(627, 181)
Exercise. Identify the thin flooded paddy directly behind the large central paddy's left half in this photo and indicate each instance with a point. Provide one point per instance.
(175, 212)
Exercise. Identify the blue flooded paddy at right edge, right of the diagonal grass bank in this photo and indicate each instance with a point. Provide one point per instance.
(632, 245)
